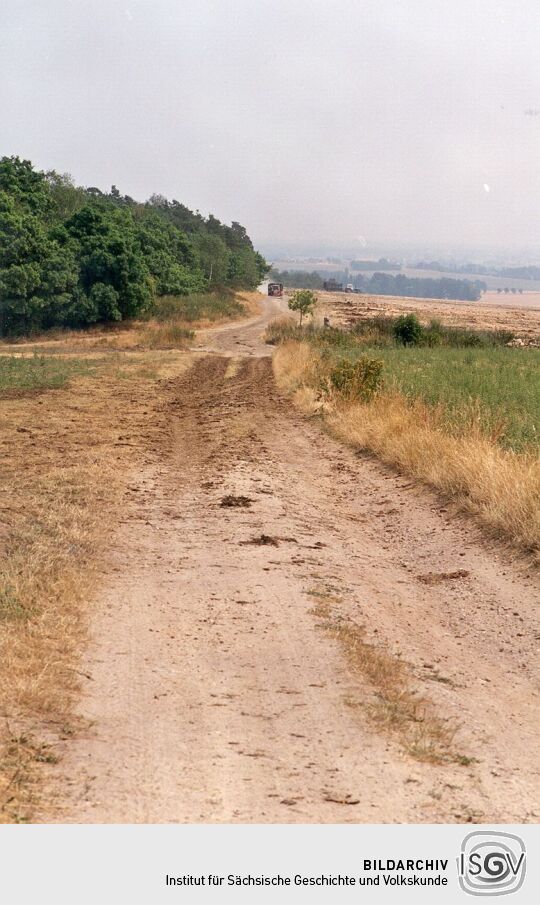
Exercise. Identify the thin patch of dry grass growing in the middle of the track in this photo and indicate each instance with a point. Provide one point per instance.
(395, 705)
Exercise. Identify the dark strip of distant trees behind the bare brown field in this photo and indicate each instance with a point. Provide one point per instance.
(388, 284)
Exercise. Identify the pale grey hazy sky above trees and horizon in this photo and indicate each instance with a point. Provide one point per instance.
(307, 120)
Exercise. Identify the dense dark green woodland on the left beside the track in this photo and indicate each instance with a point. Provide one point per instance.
(72, 256)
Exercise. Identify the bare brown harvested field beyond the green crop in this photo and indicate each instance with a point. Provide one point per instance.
(489, 314)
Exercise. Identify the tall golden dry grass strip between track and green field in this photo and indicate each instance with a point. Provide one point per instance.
(501, 488)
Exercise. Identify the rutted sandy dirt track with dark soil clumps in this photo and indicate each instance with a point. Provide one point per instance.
(215, 692)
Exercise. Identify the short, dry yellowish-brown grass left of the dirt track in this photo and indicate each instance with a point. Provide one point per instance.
(66, 459)
